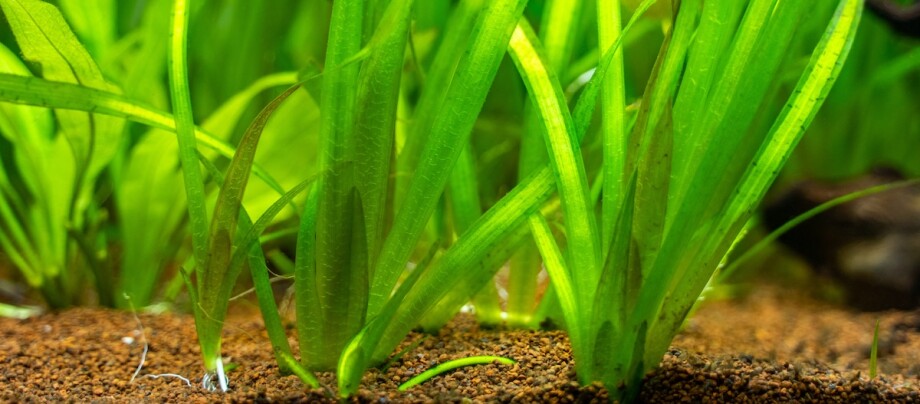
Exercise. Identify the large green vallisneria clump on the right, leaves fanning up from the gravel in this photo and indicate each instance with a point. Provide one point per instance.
(676, 221)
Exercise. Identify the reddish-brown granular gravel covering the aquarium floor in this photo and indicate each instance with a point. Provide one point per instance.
(774, 345)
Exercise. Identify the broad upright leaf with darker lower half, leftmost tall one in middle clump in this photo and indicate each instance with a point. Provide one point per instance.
(341, 267)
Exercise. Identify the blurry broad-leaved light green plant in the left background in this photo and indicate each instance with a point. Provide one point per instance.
(120, 226)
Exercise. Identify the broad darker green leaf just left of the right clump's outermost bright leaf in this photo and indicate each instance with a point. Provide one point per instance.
(684, 219)
